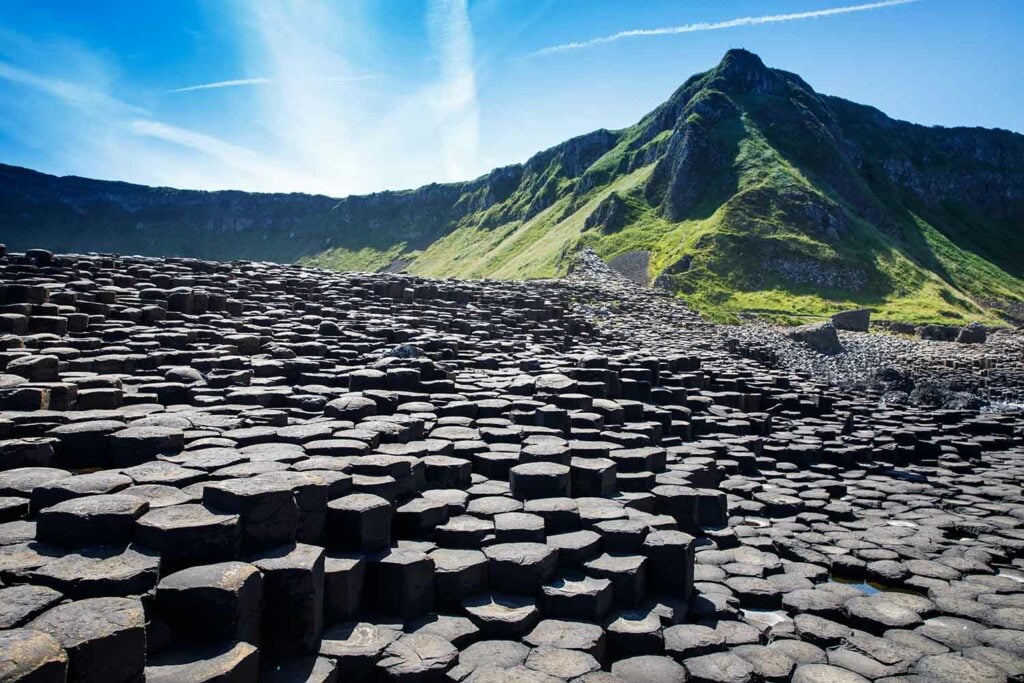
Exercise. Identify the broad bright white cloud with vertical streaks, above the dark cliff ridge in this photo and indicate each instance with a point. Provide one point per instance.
(368, 134)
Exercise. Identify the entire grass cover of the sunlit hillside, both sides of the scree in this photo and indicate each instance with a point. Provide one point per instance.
(936, 268)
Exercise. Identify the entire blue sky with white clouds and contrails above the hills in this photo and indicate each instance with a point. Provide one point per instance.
(356, 97)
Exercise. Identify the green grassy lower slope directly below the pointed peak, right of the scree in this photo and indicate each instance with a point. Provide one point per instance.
(898, 287)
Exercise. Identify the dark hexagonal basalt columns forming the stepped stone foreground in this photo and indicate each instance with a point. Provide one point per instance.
(249, 472)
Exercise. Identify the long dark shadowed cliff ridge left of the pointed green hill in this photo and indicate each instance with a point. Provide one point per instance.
(80, 215)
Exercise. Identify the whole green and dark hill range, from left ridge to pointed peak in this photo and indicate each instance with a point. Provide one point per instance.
(746, 192)
